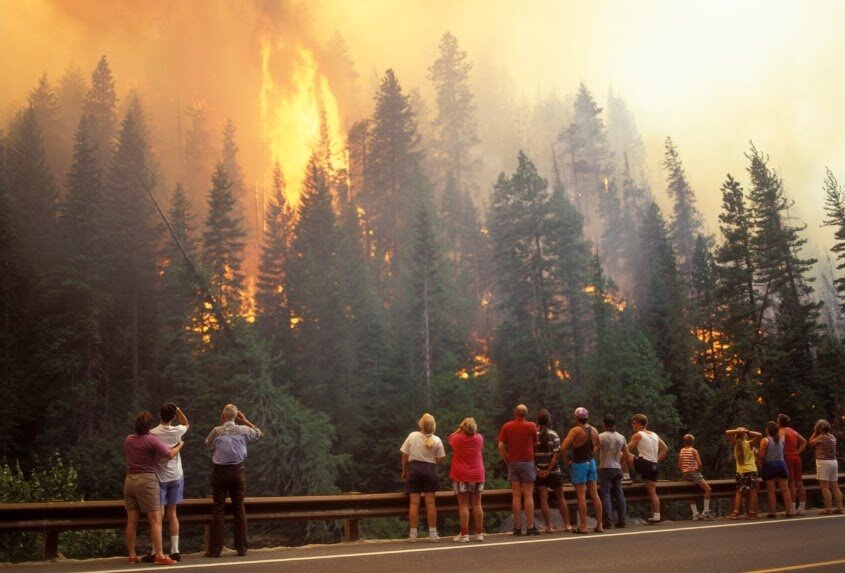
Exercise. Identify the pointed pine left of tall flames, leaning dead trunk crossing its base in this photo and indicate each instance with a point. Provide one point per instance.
(223, 245)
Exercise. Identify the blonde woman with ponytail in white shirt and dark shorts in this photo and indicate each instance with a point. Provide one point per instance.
(421, 453)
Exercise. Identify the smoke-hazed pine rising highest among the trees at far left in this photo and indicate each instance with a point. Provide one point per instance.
(100, 107)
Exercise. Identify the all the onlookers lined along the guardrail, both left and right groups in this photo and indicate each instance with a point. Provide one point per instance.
(533, 452)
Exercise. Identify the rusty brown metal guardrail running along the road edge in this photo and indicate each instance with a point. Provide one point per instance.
(51, 518)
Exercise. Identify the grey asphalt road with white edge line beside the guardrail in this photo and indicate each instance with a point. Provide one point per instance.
(815, 544)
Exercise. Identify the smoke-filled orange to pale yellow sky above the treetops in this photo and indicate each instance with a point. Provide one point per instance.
(713, 75)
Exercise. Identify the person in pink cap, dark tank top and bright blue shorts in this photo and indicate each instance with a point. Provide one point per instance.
(584, 440)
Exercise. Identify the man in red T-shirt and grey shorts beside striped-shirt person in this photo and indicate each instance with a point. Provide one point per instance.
(516, 446)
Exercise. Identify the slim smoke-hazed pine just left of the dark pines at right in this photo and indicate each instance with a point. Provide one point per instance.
(686, 224)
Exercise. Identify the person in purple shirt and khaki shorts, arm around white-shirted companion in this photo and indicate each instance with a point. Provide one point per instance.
(140, 489)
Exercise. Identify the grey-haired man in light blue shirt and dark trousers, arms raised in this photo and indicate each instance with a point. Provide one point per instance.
(228, 476)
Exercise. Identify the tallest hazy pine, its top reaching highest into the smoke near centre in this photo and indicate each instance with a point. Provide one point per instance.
(455, 124)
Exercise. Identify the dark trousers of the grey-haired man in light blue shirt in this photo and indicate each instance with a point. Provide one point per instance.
(228, 480)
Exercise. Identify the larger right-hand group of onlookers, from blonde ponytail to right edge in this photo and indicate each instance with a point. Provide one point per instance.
(534, 455)
